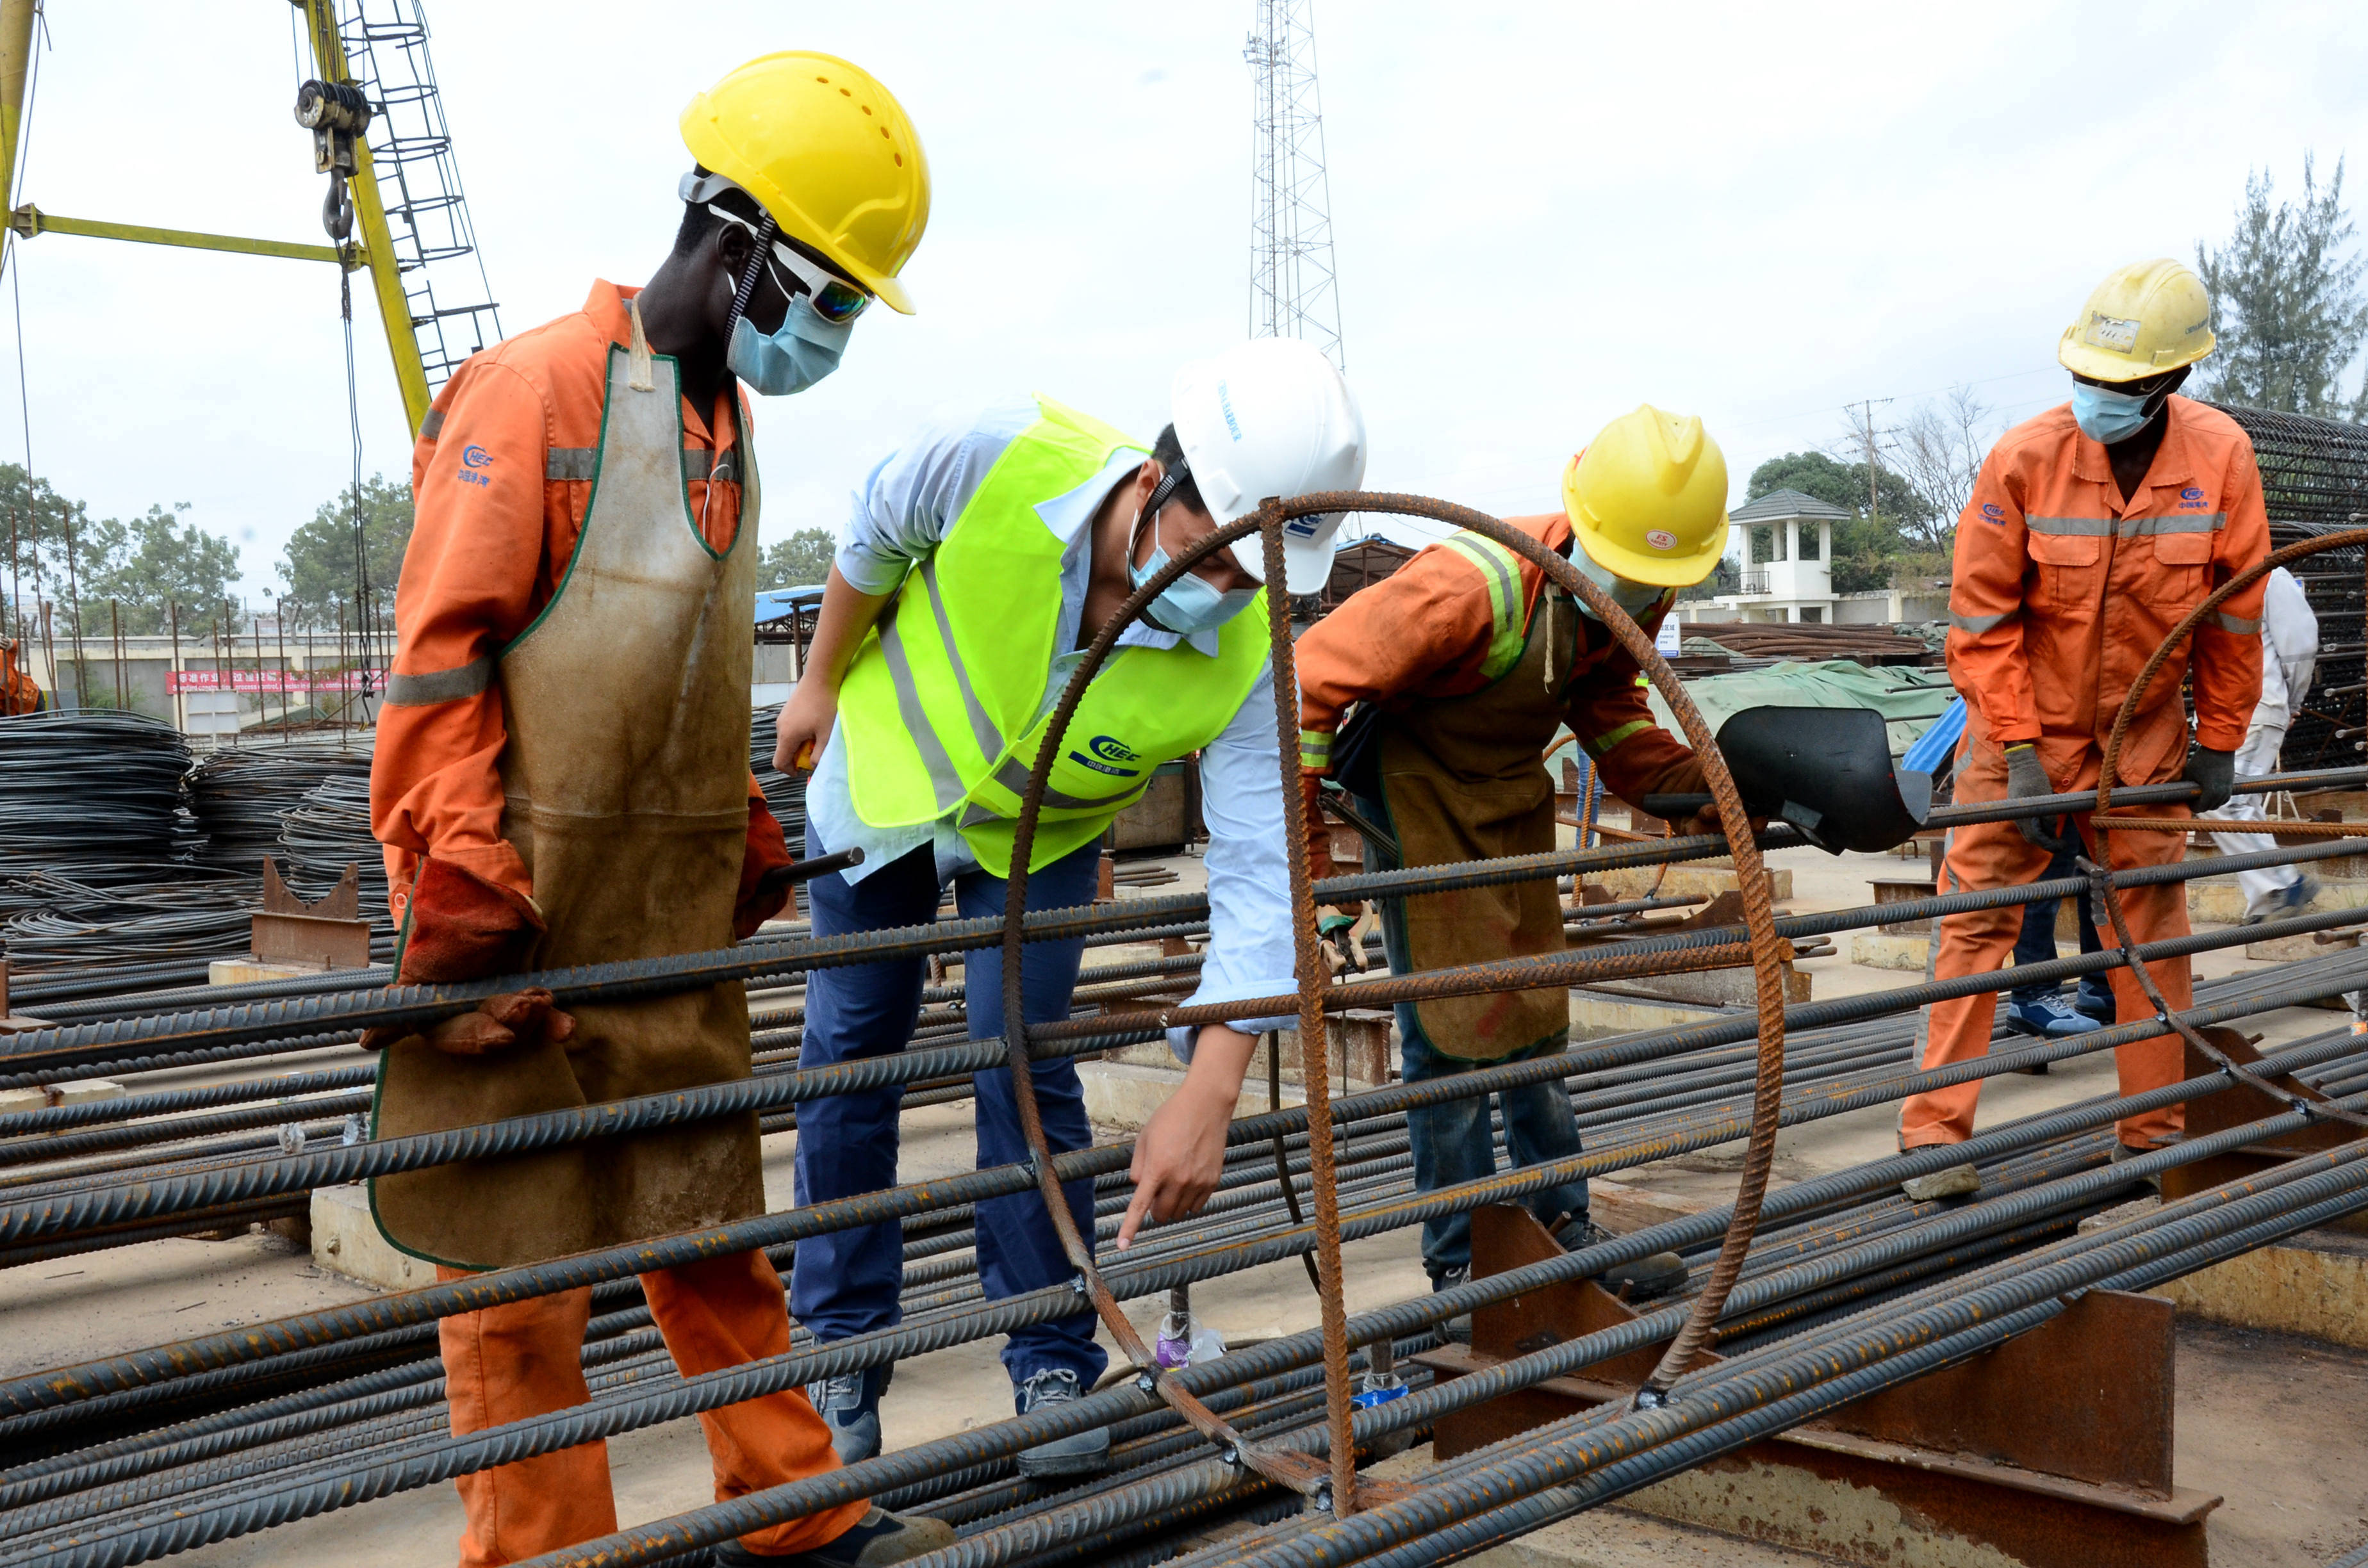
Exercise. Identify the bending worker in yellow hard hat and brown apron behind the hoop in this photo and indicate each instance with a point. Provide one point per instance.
(1472, 662)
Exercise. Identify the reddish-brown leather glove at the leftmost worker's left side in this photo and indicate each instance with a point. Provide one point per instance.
(468, 930)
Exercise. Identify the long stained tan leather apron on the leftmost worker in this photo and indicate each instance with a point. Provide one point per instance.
(626, 783)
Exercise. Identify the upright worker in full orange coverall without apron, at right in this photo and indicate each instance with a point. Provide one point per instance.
(2090, 534)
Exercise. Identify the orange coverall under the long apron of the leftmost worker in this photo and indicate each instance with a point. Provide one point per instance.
(501, 480)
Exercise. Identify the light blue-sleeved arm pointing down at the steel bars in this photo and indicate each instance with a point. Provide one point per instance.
(1180, 1152)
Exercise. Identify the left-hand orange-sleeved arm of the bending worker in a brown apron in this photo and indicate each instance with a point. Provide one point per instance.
(1427, 622)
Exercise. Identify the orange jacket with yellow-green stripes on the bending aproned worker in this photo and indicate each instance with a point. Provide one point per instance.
(1429, 638)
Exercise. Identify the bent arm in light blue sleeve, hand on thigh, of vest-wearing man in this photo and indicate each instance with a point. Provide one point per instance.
(901, 515)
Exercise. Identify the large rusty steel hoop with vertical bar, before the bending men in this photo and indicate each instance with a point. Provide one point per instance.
(1339, 1486)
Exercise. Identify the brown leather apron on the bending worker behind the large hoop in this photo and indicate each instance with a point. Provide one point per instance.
(1462, 780)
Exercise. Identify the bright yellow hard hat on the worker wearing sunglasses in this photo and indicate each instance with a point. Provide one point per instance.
(830, 155)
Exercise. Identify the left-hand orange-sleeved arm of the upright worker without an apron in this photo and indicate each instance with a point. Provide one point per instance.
(1986, 605)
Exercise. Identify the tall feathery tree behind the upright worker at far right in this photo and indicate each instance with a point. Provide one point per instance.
(2286, 302)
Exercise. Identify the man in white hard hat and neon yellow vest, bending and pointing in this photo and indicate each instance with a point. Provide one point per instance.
(977, 567)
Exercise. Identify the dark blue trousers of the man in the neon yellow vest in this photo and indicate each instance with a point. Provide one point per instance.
(847, 1283)
